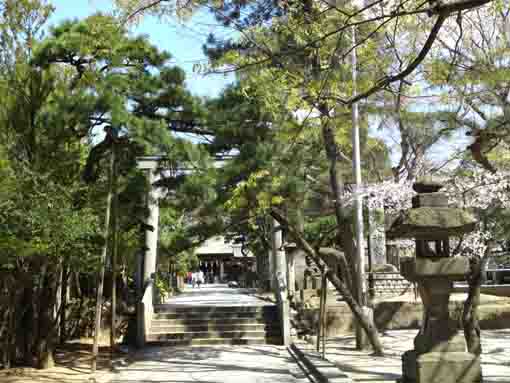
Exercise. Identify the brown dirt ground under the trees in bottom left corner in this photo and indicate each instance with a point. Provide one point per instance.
(72, 365)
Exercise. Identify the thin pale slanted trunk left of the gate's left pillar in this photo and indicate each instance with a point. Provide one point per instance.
(99, 299)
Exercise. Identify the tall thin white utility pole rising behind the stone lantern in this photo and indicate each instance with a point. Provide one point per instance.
(359, 267)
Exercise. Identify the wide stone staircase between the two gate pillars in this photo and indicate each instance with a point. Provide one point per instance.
(214, 325)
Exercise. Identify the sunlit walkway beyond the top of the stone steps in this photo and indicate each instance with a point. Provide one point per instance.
(217, 295)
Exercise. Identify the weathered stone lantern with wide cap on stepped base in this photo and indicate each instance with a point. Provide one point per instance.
(440, 352)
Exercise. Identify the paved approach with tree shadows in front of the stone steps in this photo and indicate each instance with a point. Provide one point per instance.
(211, 364)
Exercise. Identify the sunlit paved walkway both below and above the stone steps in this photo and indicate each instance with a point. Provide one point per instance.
(210, 364)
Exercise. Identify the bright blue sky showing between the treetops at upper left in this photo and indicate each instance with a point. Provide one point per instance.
(183, 41)
